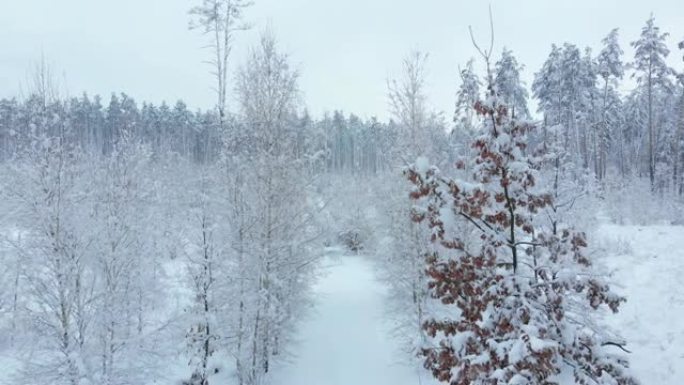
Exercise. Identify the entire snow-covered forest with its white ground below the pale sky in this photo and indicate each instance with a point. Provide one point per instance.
(531, 235)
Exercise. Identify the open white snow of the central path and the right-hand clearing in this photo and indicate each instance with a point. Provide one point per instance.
(347, 338)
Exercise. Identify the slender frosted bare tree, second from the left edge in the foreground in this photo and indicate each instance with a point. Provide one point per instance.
(125, 263)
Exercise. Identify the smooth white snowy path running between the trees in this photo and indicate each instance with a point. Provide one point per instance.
(346, 340)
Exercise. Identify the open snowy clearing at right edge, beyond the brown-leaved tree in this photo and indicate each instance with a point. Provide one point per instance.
(651, 276)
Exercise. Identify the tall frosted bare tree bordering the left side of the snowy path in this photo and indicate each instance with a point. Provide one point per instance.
(272, 220)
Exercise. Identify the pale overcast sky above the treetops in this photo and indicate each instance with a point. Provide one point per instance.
(345, 49)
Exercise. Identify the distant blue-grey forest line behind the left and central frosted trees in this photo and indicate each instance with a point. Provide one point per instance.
(341, 142)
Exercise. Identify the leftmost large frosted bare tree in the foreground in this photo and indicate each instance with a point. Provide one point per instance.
(48, 189)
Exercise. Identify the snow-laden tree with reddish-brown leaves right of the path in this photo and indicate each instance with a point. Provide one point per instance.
(512, 308)
